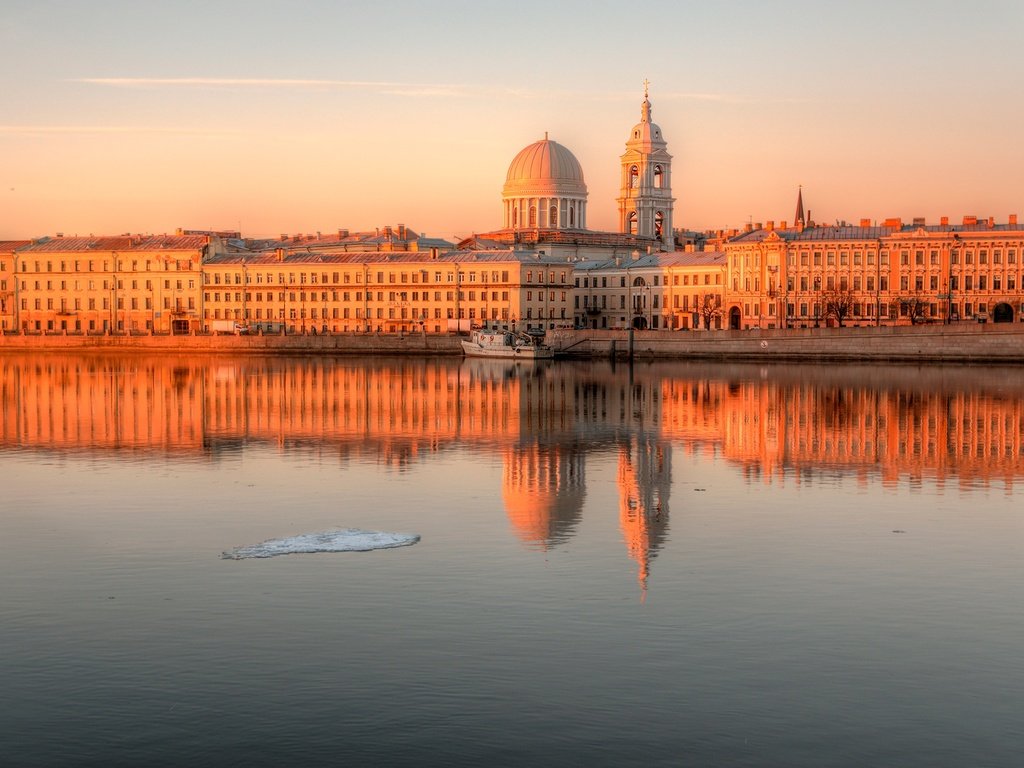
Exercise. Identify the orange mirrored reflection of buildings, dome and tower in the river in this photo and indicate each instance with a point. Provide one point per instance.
(961, 425)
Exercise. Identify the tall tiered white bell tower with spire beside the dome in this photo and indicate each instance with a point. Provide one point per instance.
(646, 190)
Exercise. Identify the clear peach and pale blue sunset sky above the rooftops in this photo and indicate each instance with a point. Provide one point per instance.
(302, 117)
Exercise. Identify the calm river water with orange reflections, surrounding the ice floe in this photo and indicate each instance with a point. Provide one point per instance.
(673, 565)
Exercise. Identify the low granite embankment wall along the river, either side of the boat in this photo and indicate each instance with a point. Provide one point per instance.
(960, 344)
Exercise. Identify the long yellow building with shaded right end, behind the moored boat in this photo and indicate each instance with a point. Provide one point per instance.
(433, 292)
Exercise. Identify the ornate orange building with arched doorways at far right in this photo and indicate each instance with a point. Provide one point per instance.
(895, 274)
